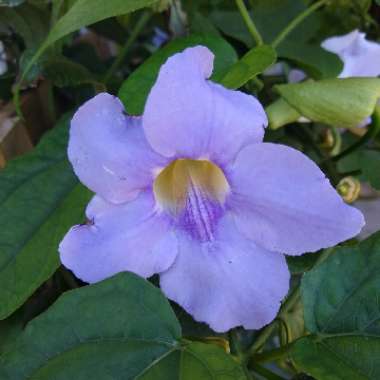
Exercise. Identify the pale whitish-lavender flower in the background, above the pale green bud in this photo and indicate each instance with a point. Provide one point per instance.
(361, 58)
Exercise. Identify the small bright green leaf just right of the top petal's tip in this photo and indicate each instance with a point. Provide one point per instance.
(251, 64)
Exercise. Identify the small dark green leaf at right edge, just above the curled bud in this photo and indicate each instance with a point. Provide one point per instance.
(367, 161)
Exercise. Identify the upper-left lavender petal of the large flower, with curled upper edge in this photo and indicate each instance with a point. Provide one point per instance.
(108, 150)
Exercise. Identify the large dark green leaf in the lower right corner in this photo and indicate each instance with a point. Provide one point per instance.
(340, 298)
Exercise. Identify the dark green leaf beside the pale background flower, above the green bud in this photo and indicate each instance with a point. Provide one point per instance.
(317, 62)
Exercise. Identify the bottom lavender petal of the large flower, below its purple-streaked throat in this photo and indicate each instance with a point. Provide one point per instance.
(229, 282)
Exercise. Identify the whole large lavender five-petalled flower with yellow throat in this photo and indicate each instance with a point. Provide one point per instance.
(190, 191)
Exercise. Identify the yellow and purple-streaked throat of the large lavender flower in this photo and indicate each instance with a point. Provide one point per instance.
(194, 193)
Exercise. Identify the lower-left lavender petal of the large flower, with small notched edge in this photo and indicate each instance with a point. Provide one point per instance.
(128, 237)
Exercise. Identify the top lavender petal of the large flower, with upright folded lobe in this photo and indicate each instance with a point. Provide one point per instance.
(188, 116)
